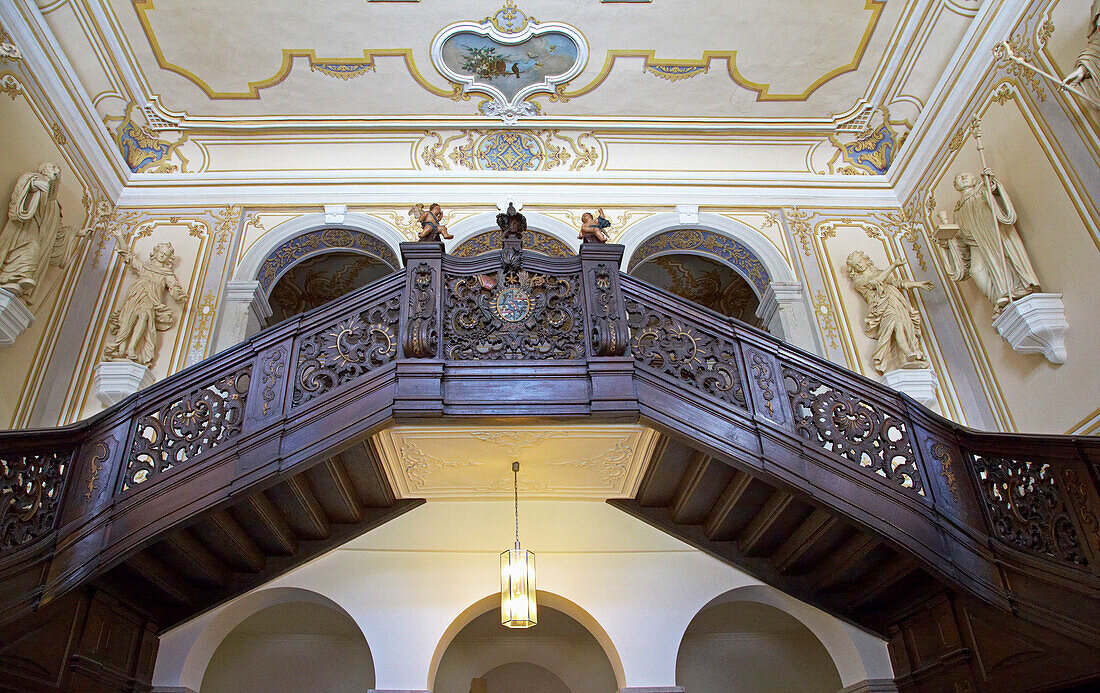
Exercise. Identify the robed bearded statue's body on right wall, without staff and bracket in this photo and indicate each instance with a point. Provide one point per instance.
(984, 245)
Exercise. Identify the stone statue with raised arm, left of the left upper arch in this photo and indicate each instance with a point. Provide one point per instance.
(144, 311)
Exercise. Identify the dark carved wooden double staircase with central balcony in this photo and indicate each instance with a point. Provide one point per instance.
(978, 555)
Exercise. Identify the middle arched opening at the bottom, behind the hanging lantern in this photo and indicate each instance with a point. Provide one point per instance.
(558, 656)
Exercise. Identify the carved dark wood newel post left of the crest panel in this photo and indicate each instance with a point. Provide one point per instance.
(421, 370)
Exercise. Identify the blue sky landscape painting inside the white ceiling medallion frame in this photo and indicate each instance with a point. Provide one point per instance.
(510, 68)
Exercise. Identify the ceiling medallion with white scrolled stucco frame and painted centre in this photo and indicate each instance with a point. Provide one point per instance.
(510, 58)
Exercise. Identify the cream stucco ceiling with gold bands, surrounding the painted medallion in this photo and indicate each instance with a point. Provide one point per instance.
(239, 59)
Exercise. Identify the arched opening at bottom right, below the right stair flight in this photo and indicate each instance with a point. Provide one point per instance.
(749, 647)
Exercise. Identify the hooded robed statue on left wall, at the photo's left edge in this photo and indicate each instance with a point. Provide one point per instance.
(35, 238)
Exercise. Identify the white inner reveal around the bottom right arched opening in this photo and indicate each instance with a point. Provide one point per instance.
(857, 655)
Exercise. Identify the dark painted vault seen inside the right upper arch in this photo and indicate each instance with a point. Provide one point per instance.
(705, 282)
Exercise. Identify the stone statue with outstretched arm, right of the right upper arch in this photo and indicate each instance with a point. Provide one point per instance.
(890, 316)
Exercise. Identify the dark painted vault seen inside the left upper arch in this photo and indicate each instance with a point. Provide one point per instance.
(316, 281)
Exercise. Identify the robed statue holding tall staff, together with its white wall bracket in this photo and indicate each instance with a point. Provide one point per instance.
(984, 245)
